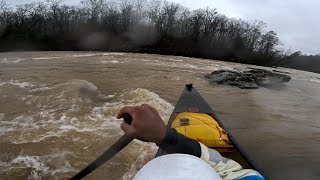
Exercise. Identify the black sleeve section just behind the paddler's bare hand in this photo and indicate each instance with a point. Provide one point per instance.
(175, 142)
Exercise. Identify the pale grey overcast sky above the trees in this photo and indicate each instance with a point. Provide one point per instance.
(297, 22)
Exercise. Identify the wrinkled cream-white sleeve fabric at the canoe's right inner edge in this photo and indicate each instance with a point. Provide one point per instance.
(228, 169)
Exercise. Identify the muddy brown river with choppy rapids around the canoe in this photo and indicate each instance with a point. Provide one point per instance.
(57, 113)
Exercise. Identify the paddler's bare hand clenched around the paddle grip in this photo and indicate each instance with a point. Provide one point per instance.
(146, 124)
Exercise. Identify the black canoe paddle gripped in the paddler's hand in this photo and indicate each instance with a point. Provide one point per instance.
(108, 154)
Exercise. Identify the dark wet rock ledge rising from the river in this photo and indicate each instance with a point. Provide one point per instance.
(251, 79)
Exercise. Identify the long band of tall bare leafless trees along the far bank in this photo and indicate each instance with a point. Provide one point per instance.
(153, 26)
